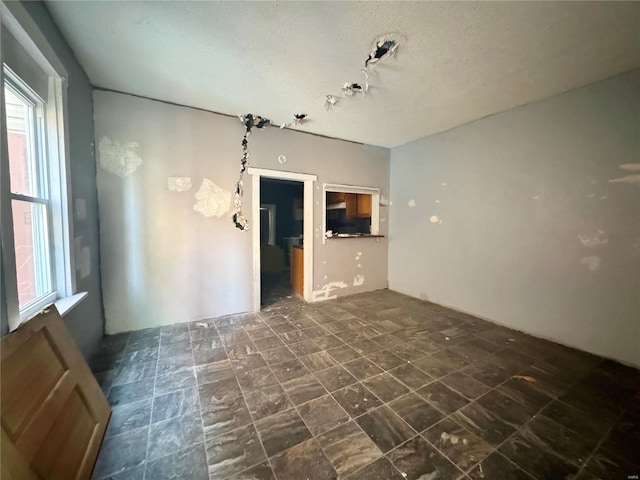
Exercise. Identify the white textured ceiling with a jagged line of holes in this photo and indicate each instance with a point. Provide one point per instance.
(461, 61)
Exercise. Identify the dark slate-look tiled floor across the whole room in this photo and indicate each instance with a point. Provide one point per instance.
(372, 386)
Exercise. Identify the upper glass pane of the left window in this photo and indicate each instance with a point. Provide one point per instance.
(21, 142)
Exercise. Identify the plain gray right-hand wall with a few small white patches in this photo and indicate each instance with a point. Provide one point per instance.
(534, 233)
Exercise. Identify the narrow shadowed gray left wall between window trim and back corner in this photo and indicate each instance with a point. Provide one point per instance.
(86, 321)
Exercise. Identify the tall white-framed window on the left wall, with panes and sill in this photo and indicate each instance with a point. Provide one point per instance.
(36, 232)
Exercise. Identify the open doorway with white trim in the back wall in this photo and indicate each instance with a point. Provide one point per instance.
(282, 235)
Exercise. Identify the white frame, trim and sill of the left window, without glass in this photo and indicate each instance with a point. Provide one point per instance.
(19, 23)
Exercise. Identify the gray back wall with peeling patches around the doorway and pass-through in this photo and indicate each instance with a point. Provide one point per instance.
(162, 261)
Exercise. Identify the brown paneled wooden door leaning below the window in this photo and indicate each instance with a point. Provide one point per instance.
(53, 412)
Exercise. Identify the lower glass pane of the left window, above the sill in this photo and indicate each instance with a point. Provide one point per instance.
(33, 263)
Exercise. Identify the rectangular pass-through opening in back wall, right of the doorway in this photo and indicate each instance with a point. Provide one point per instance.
(350, 211)
